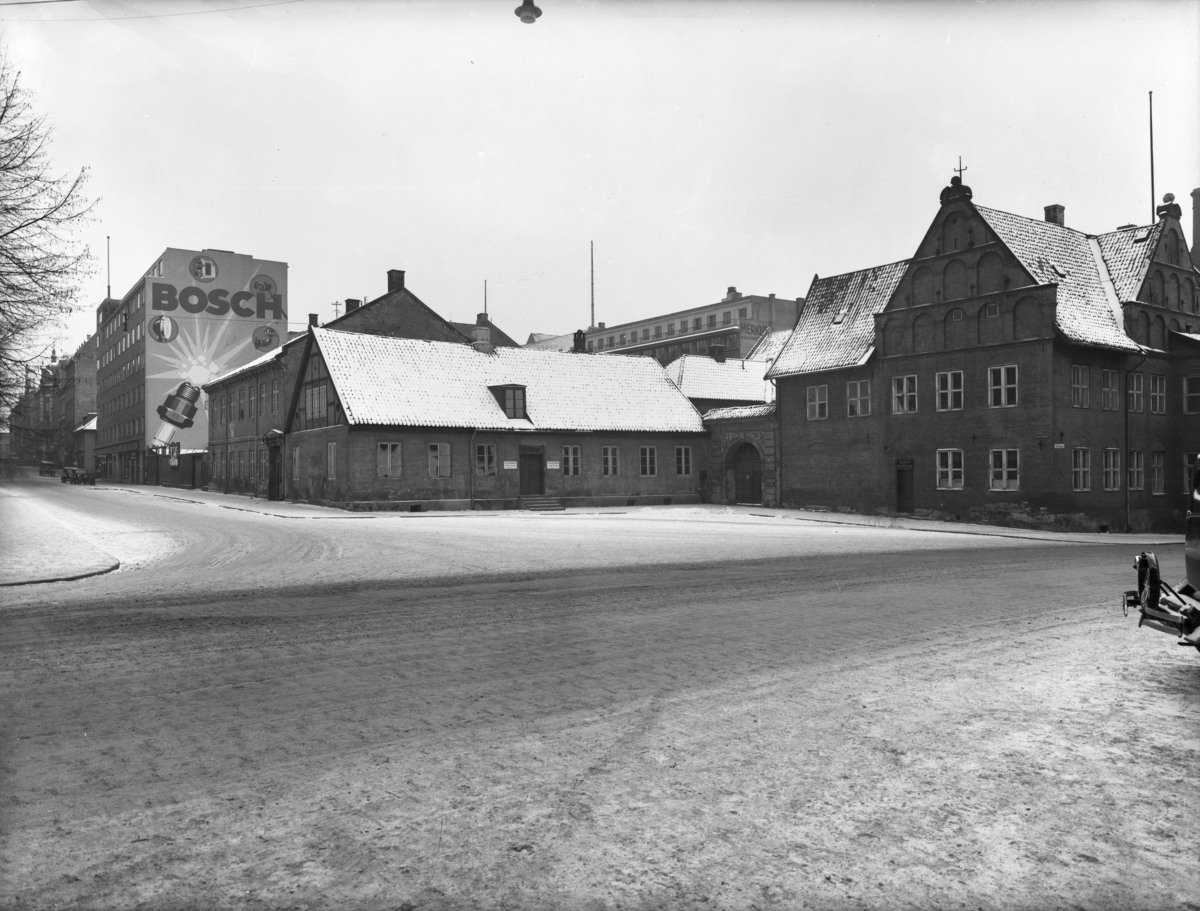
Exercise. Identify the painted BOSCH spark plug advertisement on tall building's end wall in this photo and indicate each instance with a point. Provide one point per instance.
(209, 313)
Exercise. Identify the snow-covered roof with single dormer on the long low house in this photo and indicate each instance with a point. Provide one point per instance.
(410, 382)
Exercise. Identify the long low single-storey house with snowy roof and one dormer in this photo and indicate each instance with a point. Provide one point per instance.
(382, 423)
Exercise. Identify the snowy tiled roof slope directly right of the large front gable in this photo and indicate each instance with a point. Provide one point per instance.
(1057, 255)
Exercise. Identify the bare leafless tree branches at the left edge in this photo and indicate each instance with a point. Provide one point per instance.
(41, 259)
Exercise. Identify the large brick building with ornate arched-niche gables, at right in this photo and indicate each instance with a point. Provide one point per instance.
(1013, 371)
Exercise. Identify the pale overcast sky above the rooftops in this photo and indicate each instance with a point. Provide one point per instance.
(699, 145)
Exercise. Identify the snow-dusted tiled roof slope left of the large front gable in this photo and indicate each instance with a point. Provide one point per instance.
(819, 343)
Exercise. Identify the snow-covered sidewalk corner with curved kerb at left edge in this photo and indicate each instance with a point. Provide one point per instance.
(29, 532)
